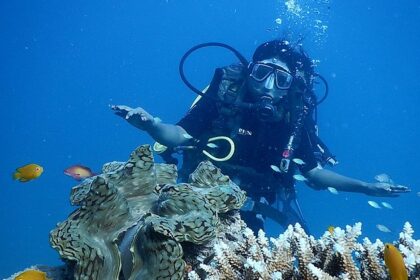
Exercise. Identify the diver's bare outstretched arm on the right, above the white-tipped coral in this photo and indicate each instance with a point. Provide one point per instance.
(322, 178)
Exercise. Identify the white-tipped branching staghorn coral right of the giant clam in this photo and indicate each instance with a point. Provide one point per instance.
(295, 255)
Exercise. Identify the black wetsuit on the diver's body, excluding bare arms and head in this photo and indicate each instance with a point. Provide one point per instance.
(258, 146)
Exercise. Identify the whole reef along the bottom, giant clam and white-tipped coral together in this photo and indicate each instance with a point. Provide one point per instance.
(134, 221)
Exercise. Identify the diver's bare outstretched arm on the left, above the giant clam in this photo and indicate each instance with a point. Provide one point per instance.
(169, 135)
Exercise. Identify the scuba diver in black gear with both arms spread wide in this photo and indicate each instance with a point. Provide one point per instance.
(257, 122)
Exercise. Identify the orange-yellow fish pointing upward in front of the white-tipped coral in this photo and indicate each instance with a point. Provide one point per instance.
(395, 263)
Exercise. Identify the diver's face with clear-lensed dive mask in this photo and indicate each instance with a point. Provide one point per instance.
(270, 78)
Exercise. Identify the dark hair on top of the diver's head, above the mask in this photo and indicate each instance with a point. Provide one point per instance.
(294, 57)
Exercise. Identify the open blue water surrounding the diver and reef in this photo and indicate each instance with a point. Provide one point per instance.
(62, 63)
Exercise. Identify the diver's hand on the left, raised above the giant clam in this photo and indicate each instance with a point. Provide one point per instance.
(137, 117)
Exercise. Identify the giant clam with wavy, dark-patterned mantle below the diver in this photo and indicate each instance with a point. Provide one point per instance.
(133, 220)
